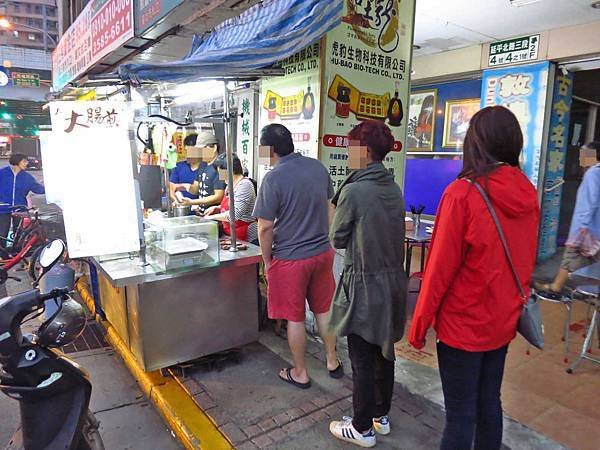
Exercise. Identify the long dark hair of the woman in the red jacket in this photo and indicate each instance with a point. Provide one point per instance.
(494, 136)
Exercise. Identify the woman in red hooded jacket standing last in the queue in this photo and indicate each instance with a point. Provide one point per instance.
(468, 293)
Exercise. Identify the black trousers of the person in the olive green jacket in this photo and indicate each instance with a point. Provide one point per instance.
(373, 379)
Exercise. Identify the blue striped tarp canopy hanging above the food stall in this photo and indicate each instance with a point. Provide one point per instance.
(263, 35)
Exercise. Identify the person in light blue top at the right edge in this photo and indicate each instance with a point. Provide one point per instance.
(583, 245)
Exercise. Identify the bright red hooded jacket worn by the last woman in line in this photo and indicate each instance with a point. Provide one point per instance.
(468, 291)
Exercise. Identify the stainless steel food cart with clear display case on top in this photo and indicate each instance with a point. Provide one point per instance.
(183, 296)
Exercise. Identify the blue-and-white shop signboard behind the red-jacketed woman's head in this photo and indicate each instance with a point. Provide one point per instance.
(523, 90)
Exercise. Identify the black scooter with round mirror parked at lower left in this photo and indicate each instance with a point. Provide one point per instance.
(53, 391)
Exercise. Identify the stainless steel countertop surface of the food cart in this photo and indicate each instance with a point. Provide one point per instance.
(125, 271)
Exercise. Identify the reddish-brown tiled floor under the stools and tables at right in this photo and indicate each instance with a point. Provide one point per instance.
(537, 391)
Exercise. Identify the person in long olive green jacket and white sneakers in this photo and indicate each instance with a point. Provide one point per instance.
(370, 302)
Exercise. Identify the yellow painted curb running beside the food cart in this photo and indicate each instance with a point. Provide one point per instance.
(192, 426)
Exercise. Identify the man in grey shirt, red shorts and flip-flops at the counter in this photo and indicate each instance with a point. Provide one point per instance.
(292, 209)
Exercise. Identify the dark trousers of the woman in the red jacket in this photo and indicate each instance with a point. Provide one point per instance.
(471, 382)
